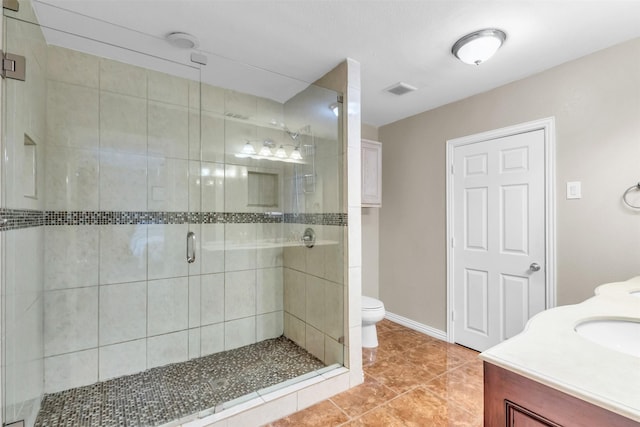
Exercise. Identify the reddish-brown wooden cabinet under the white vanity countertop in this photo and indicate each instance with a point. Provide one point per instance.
(512, 400)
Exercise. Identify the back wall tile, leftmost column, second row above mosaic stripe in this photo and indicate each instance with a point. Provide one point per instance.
(72, 115)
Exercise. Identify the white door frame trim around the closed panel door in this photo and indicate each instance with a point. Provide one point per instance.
(548, 125)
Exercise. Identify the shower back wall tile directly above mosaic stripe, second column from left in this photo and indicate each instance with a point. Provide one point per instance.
(123, 182)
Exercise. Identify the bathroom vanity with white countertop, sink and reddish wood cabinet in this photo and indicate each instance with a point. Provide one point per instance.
(559, 372)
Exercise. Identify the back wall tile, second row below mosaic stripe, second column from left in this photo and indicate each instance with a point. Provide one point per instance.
(123, 312)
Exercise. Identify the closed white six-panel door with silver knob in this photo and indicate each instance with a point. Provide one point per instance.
(498, 237)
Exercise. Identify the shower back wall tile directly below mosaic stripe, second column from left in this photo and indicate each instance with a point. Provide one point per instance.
(123, 253)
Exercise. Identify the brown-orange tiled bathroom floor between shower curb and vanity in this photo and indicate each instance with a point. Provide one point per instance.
(415, 380)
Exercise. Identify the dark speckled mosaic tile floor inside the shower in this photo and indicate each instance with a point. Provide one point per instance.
(160, 395)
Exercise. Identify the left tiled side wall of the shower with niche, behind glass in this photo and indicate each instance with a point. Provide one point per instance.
(21, 220)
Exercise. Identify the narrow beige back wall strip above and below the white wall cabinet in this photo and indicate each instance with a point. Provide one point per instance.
(370, 235)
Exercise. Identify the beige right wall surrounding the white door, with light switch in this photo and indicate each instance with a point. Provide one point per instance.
(596, 103)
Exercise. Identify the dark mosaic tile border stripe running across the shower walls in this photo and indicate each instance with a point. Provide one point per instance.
(11, 219)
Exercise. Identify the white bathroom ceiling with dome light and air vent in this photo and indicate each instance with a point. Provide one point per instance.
(299, 41)
